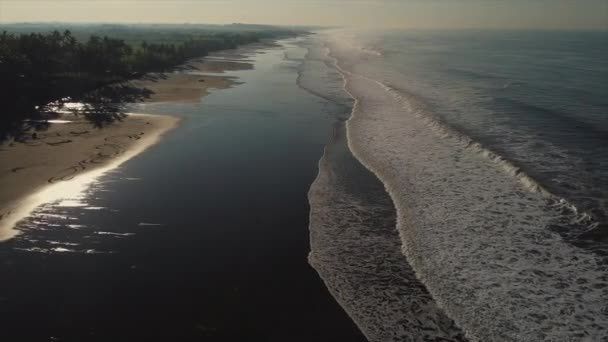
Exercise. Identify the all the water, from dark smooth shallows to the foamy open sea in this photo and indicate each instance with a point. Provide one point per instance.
(379, 185)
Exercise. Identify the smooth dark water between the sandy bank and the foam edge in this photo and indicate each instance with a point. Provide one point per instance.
(204, 237)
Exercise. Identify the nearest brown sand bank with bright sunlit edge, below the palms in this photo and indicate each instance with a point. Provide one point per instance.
(66, 158)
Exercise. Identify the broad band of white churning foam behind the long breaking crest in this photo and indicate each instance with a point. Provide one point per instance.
(474, 226)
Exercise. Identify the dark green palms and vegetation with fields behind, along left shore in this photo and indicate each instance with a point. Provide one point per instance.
(39, 70)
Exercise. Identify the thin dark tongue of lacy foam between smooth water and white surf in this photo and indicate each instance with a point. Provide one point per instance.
(355, 248)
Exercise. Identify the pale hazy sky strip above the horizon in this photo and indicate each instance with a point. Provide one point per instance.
(511, 14)
